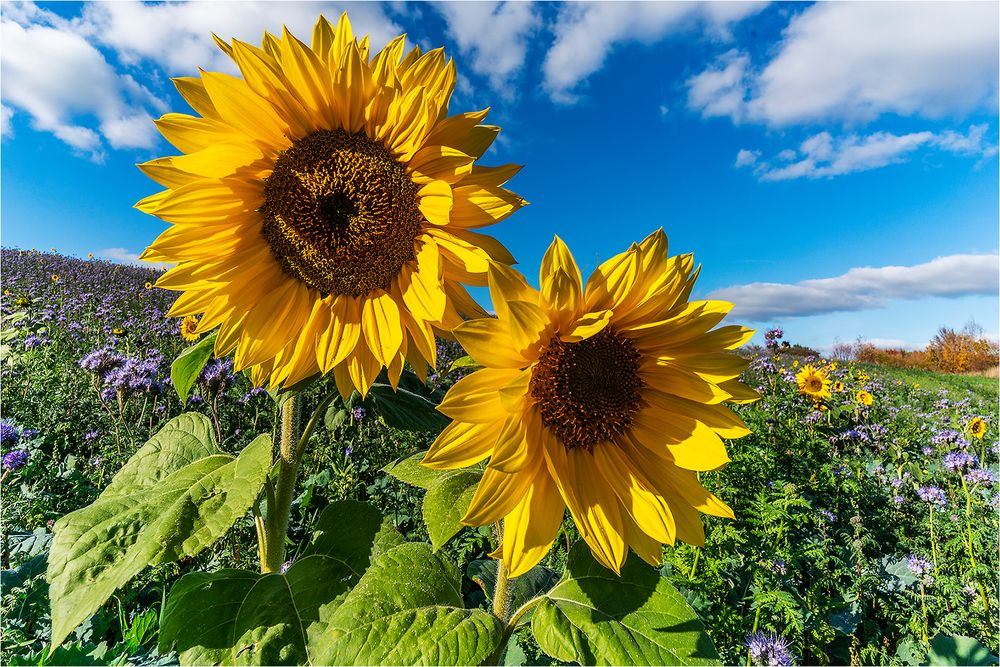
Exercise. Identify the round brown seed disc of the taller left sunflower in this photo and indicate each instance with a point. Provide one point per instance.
(340, 213)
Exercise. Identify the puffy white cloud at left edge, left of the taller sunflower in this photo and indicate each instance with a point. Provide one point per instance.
(78, 96)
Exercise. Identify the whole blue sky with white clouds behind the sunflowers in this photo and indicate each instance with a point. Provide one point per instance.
(832, 166)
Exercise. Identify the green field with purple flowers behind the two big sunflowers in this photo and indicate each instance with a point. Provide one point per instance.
(864, 533)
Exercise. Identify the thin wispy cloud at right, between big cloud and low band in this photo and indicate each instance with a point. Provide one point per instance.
(822, 155)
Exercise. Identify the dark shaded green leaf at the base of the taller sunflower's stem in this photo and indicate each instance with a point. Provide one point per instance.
(241, 617)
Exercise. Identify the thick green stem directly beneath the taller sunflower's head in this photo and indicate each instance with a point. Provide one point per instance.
(276, 526)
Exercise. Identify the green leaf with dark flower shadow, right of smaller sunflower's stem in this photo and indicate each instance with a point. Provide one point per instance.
(594, 617)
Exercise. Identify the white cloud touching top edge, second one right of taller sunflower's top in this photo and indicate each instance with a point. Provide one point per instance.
(585, 33)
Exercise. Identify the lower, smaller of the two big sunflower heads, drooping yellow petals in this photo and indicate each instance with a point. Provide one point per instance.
(605, 398)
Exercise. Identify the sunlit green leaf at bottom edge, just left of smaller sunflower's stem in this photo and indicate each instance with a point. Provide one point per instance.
(407, 610)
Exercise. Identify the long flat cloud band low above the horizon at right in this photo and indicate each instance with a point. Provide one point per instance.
(865, 288)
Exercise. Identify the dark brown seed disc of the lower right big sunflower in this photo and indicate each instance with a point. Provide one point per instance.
(588, 392)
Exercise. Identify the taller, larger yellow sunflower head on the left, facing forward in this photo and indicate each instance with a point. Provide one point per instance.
(322, 210)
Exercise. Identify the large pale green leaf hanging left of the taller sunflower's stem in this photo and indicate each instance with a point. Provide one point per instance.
(176, 496)
